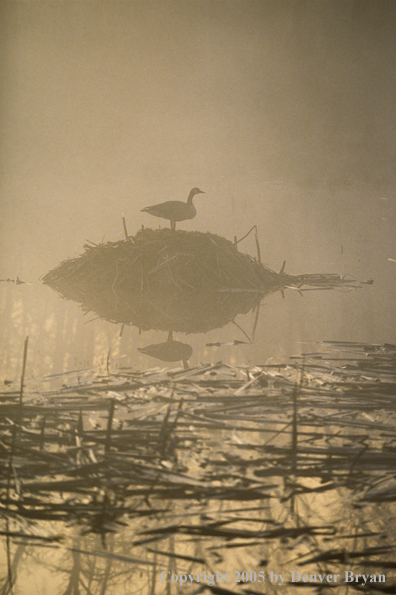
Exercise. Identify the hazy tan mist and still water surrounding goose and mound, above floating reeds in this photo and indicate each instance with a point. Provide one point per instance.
(283, 112)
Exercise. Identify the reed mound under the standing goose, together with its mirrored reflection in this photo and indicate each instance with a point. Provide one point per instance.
(166, 280)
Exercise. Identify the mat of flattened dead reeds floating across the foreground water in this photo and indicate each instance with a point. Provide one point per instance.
(195, 458)
